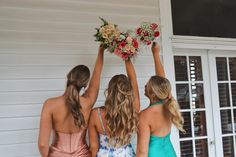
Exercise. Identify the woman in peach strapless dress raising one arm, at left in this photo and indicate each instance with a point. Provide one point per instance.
(67, 115)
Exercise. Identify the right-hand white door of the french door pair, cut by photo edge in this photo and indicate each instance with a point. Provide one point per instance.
(223, 71)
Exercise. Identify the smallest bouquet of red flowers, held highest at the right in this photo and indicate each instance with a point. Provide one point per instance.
(147, 32)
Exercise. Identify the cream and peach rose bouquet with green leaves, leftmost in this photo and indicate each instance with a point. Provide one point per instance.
(107, 33)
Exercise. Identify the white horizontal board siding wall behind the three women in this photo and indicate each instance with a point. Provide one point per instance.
(40, 41)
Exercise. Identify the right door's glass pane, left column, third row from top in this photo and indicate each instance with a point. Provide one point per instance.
(226, 121)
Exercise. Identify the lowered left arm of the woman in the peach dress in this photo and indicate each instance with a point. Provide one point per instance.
(45, 130)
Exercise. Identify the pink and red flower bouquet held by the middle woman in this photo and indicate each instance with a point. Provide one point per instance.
(125, 46)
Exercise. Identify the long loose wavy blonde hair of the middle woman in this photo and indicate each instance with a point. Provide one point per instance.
(121, 115)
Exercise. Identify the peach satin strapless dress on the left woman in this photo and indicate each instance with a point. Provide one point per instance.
(69, 145)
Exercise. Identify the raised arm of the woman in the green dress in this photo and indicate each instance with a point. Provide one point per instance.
(157, 61)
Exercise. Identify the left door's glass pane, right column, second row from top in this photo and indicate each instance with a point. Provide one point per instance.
(197, 95)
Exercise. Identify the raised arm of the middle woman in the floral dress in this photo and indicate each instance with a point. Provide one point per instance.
(132, 76)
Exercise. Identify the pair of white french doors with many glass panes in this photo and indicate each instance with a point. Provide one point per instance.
(206, 91)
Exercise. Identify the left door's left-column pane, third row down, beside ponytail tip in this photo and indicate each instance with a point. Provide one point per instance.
(187, 125)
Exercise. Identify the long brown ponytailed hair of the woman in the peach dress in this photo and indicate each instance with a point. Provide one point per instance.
(77, 79)
